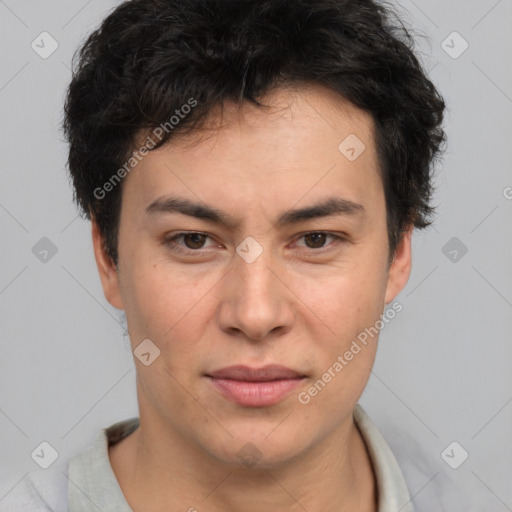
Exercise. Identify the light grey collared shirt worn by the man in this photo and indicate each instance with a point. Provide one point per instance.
(87, 482)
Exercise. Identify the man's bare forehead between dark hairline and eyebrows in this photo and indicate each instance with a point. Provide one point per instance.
(305, 142)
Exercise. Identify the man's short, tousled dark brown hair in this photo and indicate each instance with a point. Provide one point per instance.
(150, 57)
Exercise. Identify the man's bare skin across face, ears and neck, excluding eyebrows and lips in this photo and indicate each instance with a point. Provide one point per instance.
(298, 305)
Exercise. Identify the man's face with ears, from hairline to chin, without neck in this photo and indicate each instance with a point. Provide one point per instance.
(256, 291)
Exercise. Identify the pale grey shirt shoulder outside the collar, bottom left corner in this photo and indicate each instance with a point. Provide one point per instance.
(40, 490)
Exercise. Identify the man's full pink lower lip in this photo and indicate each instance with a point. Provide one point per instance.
(255, 394)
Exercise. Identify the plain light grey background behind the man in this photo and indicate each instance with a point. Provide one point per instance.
(444, 366)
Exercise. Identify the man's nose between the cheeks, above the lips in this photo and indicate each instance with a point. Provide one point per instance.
(255, 301)
